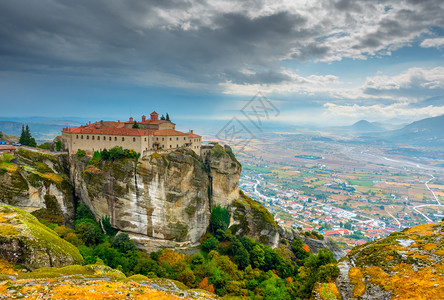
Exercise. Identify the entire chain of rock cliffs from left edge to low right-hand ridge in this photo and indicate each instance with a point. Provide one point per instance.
(162, 200)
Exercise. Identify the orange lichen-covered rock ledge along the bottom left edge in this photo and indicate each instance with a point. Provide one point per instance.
(90, 282)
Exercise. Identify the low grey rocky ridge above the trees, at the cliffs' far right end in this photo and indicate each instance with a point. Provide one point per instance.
(315, 243)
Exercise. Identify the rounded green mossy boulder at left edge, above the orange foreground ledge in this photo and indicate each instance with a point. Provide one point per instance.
(27, 242)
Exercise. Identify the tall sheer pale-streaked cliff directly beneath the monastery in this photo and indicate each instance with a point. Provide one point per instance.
(163, 200)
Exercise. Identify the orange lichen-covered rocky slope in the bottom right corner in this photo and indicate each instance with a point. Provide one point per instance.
(405, 265)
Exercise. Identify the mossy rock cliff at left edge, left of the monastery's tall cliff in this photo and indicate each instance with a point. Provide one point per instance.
(38, 182)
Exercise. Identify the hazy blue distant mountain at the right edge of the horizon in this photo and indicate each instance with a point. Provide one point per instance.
(426, 132)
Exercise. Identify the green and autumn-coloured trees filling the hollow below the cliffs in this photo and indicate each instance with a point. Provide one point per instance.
(228, 265)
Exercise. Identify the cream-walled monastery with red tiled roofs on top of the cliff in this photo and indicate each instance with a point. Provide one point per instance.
(151, 135)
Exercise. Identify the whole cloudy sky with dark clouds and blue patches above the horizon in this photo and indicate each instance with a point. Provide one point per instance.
(324, 62)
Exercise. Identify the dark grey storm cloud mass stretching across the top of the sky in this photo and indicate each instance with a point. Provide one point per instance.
(198, 41)
